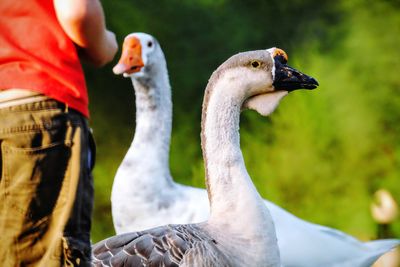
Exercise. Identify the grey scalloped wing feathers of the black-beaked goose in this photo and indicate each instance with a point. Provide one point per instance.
(161, 246)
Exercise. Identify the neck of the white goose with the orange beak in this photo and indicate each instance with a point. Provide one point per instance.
(149, 150)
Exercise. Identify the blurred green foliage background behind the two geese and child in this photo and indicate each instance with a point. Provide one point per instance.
(323, 153)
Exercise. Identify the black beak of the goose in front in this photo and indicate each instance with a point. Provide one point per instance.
(289, 79)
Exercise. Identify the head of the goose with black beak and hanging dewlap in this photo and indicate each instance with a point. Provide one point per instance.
(261, 79)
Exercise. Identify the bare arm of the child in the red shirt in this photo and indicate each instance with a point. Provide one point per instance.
(84, 23)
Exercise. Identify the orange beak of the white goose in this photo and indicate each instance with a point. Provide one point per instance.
(131, 58)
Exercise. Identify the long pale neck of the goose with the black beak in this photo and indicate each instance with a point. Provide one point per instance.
(234, 201)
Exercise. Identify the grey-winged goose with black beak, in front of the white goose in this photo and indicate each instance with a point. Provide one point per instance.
(240, 230)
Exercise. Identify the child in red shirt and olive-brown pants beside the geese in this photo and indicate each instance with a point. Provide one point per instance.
(46, 186)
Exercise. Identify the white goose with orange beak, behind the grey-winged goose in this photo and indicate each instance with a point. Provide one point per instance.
(144, 194)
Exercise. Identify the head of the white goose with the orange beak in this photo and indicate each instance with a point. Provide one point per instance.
(141, 57)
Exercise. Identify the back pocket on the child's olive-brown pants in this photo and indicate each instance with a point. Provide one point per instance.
(33, 178)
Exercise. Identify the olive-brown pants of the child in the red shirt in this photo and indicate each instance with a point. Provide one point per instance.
(46, 186)
